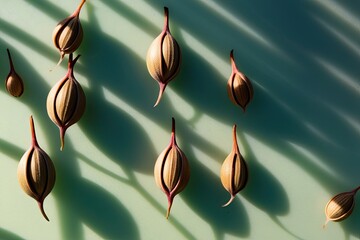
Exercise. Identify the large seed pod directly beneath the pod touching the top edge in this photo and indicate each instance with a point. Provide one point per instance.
(66, 101)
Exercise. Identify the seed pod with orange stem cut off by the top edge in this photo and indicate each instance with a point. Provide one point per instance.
(68, 34)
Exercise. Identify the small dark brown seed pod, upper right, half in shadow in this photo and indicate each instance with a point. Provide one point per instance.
(239, 87)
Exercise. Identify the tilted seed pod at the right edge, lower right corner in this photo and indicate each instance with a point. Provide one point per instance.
(340, 206)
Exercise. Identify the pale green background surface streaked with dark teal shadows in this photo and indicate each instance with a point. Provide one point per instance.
(300, 135)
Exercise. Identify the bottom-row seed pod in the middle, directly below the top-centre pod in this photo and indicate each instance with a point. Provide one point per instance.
(172, 171)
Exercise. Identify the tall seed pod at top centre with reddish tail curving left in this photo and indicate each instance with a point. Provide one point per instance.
(163, 57)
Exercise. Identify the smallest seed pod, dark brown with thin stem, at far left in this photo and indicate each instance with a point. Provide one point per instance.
(13, 83)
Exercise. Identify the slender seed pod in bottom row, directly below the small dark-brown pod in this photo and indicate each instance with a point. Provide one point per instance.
(234, 172)
